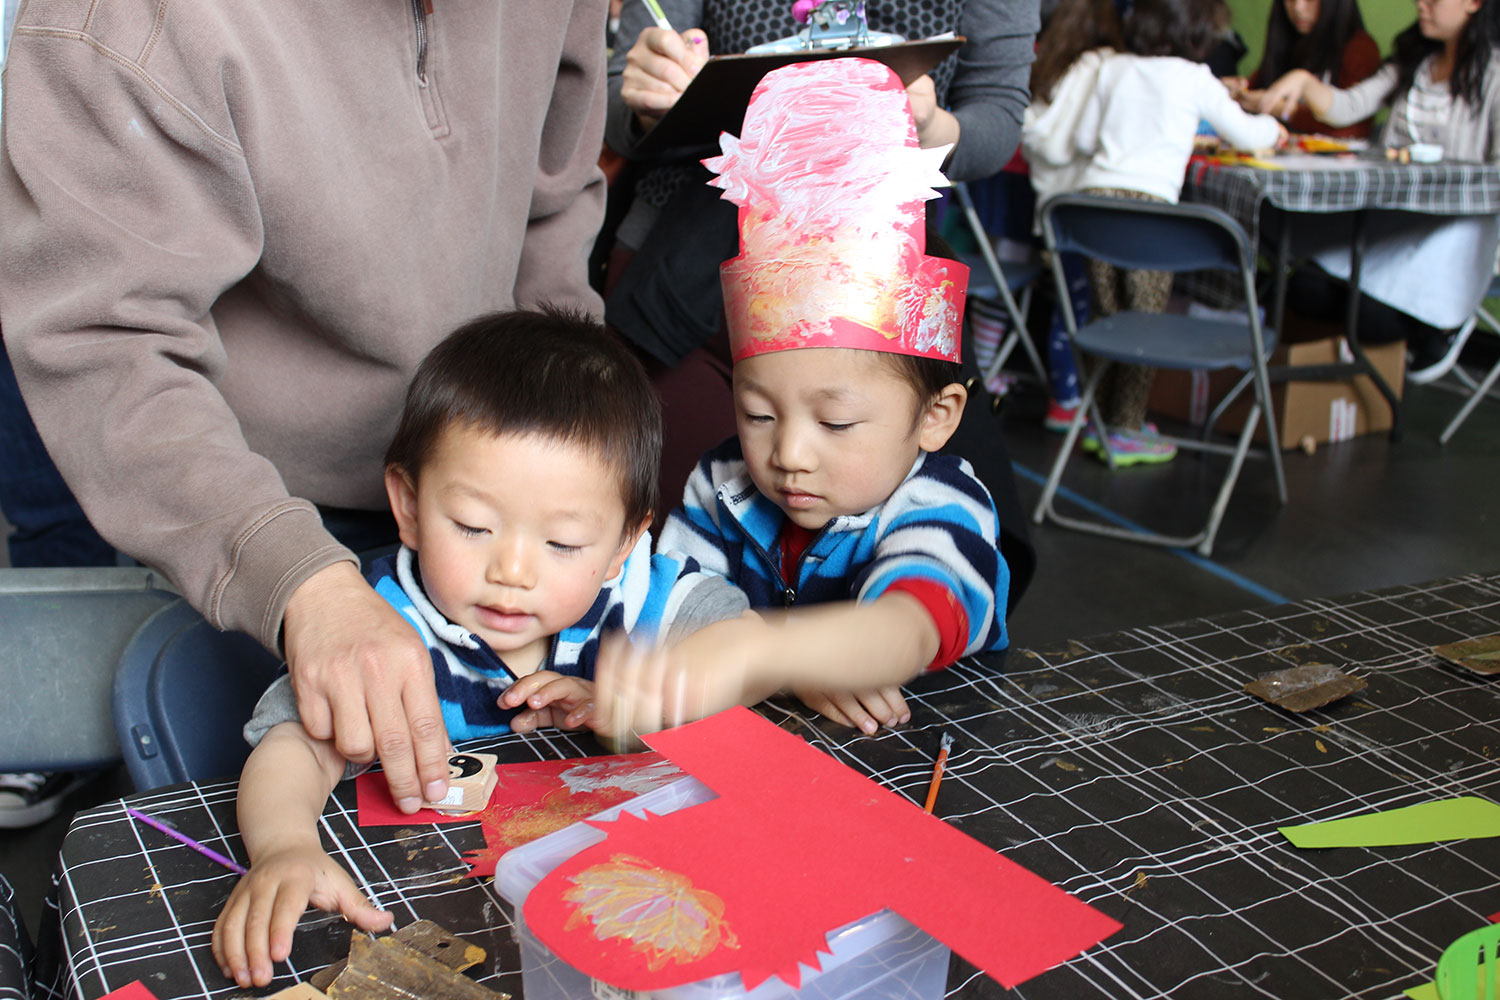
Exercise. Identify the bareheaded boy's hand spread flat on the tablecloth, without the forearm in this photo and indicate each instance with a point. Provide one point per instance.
(256, 926)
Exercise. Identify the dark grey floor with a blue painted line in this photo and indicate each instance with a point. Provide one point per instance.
(1361, 515)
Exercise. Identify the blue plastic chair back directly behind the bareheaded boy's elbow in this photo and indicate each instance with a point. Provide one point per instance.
(182, 695)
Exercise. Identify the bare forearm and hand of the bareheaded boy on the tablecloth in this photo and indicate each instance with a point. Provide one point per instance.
(283, 791)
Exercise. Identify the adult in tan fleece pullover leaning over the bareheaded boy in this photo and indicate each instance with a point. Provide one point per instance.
(229, 235)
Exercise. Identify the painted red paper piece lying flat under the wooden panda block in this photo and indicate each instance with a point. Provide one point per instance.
(530, 800)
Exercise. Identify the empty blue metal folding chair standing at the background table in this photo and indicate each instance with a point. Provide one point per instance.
(1160, 238)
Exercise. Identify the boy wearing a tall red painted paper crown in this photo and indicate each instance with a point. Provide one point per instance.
(845, 340)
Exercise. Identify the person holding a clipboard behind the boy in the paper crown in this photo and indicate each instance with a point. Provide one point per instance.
(662, 287)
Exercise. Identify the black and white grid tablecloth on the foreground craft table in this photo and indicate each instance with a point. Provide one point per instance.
(1127, 768)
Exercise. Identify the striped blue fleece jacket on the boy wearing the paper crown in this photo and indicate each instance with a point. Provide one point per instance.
(938, 525)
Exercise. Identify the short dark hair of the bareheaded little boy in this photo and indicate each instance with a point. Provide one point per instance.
(548, 373)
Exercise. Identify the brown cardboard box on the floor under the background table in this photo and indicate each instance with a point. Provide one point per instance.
(1324, 412)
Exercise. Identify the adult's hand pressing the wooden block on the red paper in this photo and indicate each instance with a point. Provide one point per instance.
(364, 680)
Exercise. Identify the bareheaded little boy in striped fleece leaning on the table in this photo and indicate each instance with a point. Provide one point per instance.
(523, 479)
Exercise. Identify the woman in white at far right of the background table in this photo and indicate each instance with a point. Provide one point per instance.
(1442, 86)
